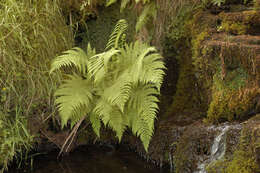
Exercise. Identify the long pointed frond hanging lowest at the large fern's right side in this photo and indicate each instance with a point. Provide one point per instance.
(142, 108)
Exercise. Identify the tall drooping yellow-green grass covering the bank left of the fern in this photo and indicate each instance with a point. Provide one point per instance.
(31, 34)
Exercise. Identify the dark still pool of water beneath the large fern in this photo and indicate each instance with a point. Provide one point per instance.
(91, 159)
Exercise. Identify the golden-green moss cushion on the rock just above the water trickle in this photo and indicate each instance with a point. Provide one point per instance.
(229, 105)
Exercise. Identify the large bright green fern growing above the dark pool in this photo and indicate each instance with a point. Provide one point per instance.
(118, 87)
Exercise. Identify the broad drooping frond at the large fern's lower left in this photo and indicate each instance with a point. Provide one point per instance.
(72, 96)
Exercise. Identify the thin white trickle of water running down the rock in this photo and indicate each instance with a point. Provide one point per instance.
(218, 150)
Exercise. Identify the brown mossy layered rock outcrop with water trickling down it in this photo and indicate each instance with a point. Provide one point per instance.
(219, 84)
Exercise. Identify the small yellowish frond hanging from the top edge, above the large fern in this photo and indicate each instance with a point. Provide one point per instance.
(148, 13)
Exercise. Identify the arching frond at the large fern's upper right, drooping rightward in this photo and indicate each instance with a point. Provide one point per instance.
(145, 64)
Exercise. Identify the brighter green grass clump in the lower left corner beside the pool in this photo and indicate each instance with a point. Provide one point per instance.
(15, 138)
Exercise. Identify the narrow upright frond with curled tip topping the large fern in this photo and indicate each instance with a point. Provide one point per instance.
(114, 39)
